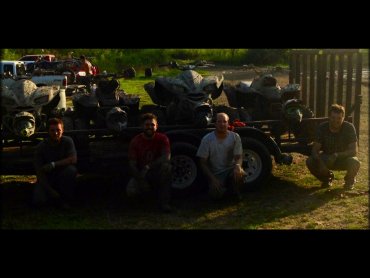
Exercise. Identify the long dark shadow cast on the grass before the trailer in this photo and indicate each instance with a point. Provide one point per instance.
(101, 204)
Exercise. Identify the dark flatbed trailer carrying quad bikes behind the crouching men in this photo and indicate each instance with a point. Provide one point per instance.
(106, 152)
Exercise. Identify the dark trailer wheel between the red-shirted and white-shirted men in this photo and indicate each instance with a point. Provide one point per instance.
(185, 174)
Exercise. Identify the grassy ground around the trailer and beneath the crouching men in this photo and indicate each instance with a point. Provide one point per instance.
(292, 199)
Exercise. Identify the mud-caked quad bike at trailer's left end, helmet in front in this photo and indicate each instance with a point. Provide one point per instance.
(26, 107)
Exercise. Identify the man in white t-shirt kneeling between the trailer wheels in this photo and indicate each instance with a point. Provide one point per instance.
(220, 154)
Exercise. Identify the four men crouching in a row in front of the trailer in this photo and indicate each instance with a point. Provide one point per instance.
(220, 157)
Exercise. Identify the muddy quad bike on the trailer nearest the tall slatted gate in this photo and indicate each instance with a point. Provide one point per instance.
(263, 99)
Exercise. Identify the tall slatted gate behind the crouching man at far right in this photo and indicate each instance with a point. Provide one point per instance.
(329, 76)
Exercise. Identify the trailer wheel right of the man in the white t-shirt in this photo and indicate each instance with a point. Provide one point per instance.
(257, 163)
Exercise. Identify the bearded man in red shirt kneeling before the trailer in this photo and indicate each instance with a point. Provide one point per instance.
(149, 161)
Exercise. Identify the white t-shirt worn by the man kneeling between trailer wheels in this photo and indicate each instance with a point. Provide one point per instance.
(220, 153)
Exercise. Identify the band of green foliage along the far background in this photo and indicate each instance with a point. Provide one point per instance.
(116, 60)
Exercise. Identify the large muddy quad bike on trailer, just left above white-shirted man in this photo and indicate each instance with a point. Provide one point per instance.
(184, 99)
